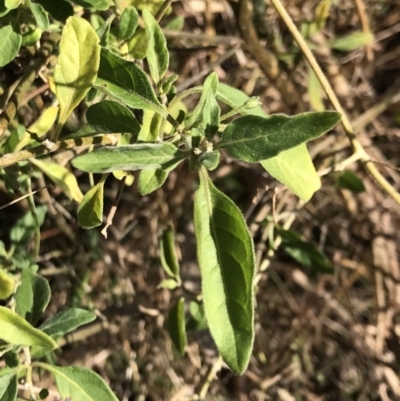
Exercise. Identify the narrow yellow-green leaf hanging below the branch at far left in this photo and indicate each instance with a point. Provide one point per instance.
(62, 177)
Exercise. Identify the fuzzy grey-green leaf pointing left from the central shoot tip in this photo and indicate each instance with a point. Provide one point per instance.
(130, 158)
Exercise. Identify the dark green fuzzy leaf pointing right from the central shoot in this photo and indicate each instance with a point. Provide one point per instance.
(253, 138)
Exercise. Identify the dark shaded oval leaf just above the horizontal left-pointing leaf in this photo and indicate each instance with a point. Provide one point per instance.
(112, 117)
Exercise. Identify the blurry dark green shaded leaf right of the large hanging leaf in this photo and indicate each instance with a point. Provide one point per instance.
(304, 253)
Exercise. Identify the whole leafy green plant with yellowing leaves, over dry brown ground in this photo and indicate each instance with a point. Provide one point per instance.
(94, 65)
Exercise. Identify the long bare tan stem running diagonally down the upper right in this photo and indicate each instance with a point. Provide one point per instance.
(356, 145)
